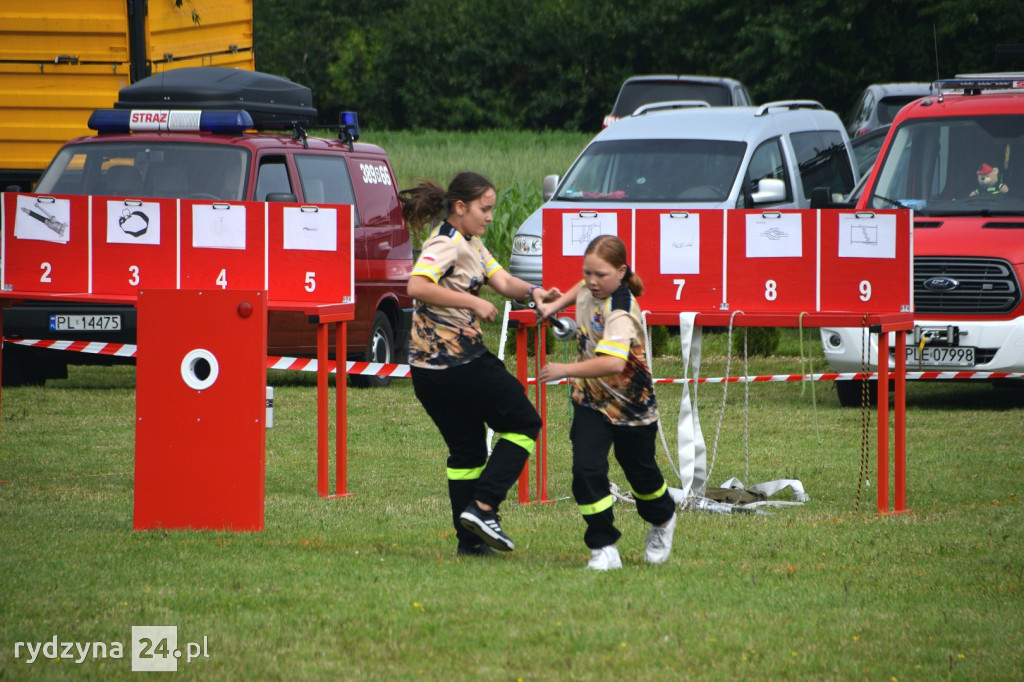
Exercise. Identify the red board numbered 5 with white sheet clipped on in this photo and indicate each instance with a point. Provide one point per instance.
(307, 245)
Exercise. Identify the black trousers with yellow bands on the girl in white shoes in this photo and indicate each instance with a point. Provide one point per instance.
(592, 438)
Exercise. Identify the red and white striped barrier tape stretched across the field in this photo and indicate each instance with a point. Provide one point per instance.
(402, 371)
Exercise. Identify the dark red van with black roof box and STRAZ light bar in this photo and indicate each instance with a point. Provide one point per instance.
(271, 160)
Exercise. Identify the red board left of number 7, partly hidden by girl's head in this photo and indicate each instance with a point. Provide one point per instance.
(567, 234)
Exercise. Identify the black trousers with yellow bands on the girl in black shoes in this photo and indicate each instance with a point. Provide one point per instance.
(463, 402)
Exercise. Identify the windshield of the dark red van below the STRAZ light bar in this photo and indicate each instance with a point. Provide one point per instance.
(176, 170)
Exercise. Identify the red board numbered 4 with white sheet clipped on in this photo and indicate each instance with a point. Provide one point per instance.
(224, 245)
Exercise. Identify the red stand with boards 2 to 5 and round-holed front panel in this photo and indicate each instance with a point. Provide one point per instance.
(203, 276)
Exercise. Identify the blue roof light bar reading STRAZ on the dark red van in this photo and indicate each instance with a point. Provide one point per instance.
(123, 120)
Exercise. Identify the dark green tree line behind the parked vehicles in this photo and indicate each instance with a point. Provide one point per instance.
(473, 65)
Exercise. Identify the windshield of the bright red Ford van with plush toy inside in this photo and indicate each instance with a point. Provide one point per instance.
(955, 166)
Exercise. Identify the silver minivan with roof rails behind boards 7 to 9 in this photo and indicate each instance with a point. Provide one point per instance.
(690, 155)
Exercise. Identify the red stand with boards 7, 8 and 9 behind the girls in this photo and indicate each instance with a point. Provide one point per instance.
(753, 269)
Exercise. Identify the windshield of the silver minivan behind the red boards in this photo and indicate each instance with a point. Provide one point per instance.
(655, 170)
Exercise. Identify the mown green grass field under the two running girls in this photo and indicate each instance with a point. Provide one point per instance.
(369, 588)
